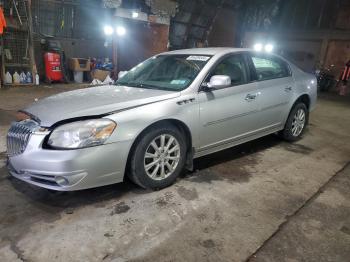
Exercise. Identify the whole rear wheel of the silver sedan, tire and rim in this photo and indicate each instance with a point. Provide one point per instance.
(295, 127)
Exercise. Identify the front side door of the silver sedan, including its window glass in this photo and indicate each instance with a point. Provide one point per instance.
(230, 113)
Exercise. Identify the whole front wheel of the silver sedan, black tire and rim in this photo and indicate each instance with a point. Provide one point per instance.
(144, 170)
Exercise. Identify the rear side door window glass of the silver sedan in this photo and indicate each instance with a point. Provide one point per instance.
(270, 67)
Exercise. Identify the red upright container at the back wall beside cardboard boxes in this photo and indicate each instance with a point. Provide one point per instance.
(53, 67)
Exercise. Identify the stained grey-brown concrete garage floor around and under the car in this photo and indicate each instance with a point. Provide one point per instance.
(266, 200)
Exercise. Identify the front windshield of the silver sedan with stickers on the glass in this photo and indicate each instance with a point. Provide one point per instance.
(165, 72)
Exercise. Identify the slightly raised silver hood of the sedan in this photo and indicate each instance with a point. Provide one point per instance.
(93, 101)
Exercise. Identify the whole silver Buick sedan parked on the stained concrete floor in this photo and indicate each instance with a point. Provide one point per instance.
(158, 117)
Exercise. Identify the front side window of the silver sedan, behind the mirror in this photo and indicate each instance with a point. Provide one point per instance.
(232, 66)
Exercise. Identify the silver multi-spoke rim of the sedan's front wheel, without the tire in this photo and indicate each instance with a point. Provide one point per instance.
(162, 157)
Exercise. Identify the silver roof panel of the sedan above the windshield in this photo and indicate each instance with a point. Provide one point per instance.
(206, 51)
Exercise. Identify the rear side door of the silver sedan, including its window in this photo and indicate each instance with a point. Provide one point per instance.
(276, 85)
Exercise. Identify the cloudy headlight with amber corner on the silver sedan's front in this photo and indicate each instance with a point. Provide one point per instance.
(82, 133)
